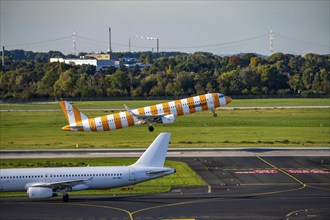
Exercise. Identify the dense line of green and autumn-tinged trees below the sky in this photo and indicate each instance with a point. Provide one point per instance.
(170, 74)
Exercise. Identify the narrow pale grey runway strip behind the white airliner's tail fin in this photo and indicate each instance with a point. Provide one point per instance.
(172, 152)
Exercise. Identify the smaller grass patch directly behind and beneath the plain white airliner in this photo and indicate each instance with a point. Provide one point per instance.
(183, 177)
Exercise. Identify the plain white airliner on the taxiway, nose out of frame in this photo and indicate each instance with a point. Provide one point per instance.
(42, 183)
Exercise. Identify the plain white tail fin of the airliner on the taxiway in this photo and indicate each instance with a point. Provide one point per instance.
(155, 155)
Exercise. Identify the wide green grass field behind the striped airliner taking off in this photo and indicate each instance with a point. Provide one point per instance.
(232, 128)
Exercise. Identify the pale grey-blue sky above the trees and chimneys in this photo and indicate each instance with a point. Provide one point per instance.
(218, 26)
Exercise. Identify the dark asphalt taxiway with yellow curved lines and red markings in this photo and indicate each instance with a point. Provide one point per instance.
(250, 187)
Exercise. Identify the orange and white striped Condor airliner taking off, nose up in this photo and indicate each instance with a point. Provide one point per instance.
(161, 113)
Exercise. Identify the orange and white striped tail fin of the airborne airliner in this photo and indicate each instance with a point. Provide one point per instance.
(72, 114)
